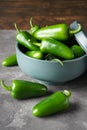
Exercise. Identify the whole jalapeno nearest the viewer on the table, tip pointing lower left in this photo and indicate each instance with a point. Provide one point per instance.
(57, 102)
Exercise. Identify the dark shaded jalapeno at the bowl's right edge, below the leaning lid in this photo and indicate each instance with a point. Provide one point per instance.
(77, 50)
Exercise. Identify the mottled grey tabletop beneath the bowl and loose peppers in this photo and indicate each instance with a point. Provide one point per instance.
(16, 115)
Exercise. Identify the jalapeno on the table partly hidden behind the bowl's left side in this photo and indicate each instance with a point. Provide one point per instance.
(10, 61)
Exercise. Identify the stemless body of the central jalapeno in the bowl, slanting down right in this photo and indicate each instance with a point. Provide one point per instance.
(56, 48)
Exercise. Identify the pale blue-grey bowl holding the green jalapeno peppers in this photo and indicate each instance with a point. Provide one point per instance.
(49, 71)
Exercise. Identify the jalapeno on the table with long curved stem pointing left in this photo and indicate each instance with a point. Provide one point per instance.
(21, 89)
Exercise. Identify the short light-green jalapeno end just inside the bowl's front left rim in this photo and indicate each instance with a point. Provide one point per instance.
(34, 54)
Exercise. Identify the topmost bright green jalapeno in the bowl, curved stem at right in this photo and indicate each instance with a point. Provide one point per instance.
(59, 31)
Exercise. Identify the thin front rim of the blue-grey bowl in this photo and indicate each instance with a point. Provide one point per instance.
(64, 61)
